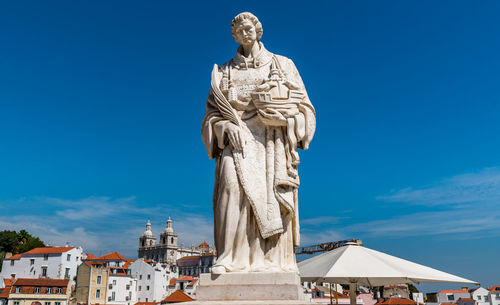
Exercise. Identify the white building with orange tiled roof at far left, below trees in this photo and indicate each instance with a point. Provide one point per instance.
(48, 262)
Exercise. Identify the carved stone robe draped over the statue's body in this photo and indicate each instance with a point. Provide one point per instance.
(255, 195)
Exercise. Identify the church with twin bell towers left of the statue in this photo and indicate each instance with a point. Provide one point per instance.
(166, 250)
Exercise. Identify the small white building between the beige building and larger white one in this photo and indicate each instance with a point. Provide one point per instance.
(122, 287)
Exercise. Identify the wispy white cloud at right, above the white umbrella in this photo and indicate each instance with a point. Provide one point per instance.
(463, 204)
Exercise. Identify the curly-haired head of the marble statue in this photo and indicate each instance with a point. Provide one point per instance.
(246, 28)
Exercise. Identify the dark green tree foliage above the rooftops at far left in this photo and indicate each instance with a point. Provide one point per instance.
(15, 243)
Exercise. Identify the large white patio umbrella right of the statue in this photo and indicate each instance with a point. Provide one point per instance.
(354, 264)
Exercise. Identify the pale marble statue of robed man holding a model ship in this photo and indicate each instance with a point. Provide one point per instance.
(257, 116)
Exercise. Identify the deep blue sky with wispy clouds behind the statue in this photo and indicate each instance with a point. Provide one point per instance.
(101, 104)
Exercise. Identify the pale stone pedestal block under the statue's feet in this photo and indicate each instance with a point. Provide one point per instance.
(249, 288)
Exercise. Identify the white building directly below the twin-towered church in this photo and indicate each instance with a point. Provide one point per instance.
(152, 280)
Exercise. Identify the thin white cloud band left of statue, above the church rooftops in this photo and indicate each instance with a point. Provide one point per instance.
(99, 224)
